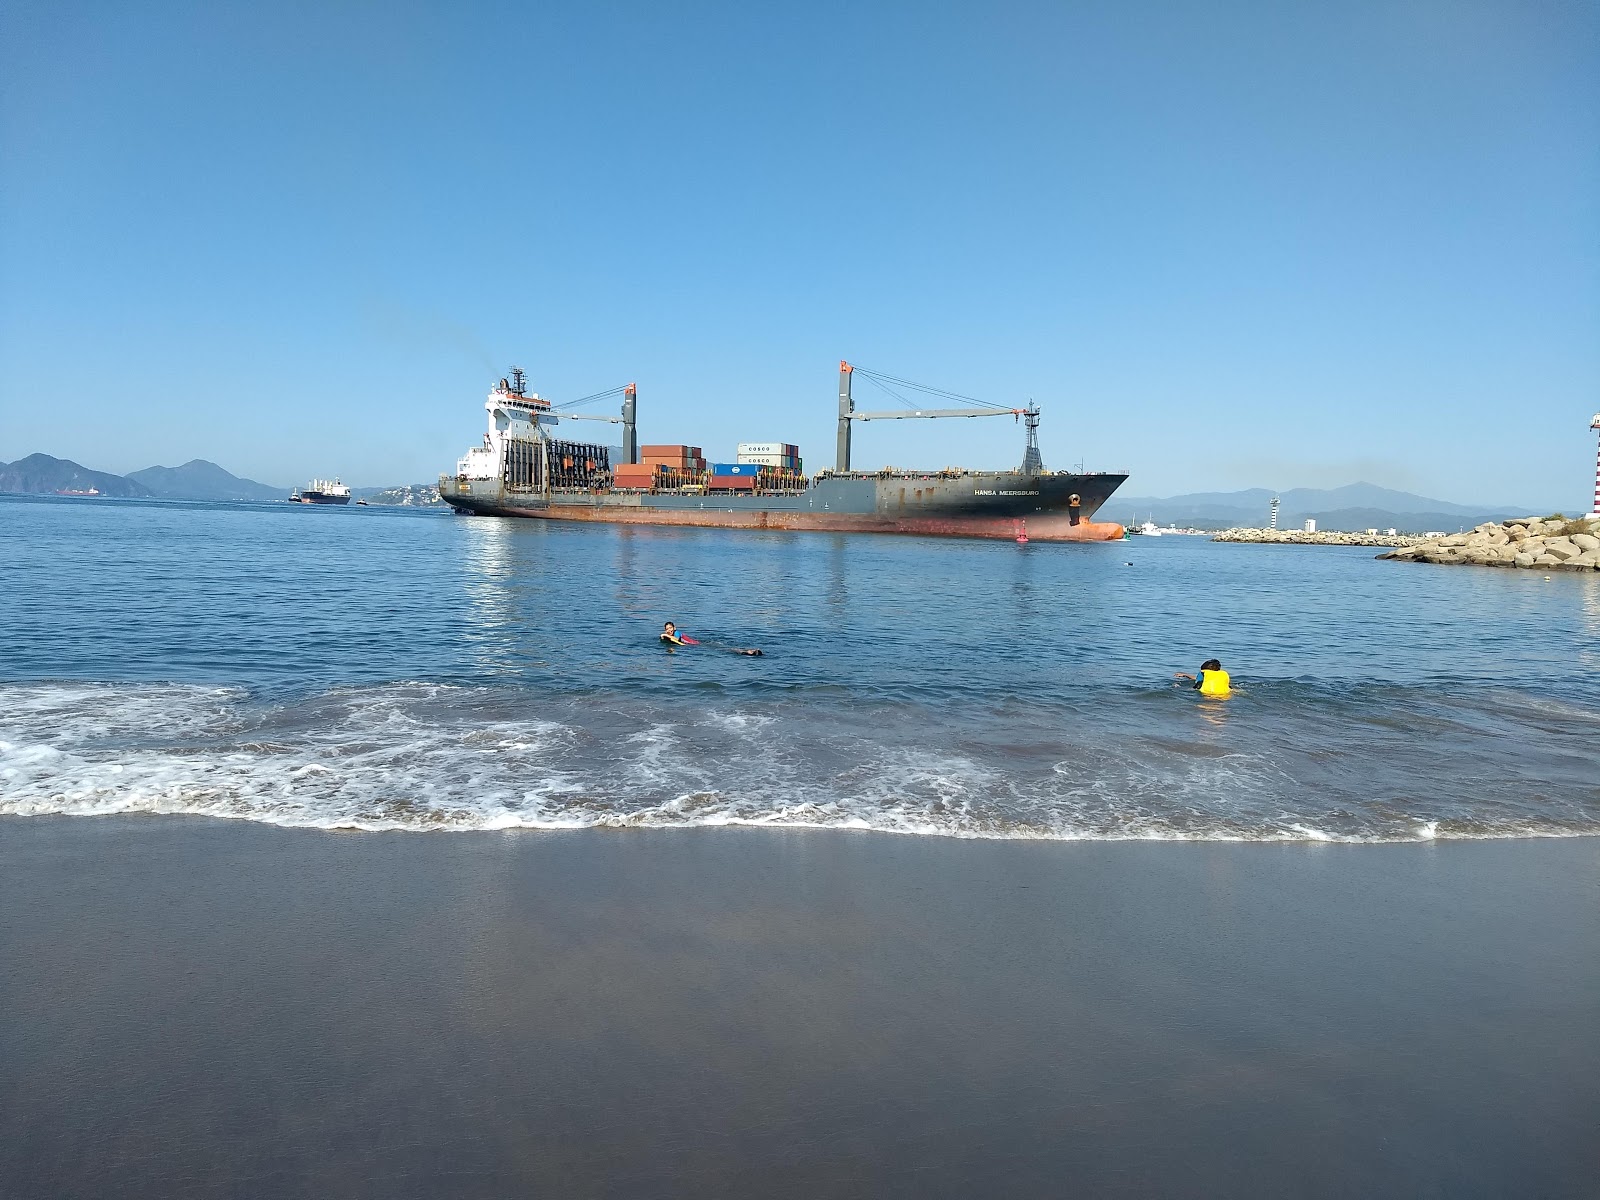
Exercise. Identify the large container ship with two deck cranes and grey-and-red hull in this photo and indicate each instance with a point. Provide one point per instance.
(524, 470)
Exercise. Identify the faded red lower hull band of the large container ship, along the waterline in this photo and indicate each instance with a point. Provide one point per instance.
(1039, 529)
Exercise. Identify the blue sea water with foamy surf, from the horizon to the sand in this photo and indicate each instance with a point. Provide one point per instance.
(388, 670)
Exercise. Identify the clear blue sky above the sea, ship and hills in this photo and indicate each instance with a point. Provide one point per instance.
(1222, 244)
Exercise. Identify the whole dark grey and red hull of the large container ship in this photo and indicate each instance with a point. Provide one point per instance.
(945, 506)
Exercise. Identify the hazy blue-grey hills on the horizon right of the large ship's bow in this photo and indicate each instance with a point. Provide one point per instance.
(1356, 506)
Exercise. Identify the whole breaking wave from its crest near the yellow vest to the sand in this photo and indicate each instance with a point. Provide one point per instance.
(1305, 766)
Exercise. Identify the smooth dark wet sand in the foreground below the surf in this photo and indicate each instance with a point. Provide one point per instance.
(223, 1009)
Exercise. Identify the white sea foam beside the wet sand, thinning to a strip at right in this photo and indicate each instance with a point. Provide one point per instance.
(425, 758)
